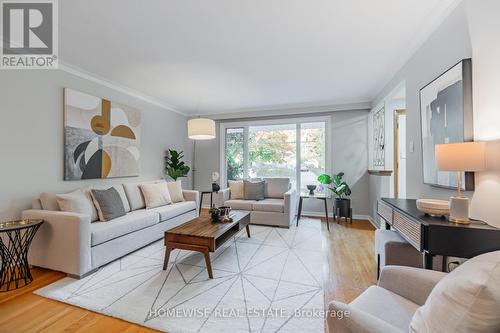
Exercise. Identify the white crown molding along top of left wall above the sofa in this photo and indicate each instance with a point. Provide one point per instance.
(81, 73)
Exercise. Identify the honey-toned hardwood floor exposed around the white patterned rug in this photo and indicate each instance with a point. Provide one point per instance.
(349, 269)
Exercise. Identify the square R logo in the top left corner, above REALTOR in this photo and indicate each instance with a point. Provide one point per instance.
(27, 28)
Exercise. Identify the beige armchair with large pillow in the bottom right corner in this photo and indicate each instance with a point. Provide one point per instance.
(415, 300)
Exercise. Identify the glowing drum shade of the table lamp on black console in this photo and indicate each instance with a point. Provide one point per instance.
(465, 156)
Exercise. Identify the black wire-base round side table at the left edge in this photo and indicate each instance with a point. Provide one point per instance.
(15, 240)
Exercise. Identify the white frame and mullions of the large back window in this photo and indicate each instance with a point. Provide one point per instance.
(296, 121)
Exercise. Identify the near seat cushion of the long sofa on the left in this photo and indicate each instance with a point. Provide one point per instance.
(101, 232)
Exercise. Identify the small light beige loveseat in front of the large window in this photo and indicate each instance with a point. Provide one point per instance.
(277, 209)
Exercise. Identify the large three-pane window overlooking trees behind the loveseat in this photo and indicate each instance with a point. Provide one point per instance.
(295, 149)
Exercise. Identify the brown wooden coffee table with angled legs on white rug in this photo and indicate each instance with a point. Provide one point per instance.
(202, 235)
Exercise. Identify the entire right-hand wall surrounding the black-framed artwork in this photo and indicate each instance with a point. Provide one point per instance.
(471, 30)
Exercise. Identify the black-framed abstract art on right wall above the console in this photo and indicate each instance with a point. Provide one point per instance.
(446, 117)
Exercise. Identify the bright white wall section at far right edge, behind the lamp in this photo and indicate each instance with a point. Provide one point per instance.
(484, 29)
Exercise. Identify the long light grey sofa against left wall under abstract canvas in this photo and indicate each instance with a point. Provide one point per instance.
(71, 243)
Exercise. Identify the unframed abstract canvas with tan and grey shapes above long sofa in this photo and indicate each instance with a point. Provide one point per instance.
(101, 138)
